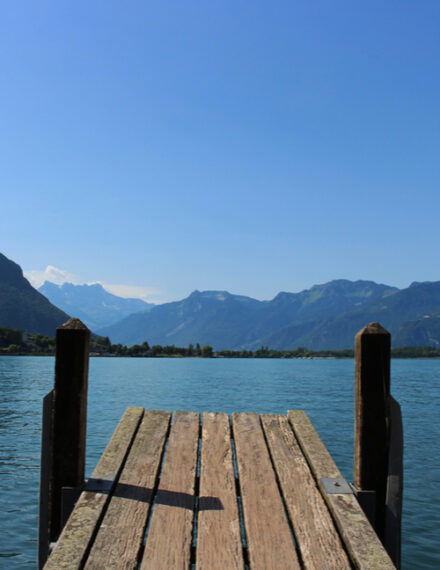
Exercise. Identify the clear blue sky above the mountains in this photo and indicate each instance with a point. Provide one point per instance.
(247, 146)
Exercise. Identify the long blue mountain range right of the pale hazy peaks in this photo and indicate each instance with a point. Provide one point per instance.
(326, 316)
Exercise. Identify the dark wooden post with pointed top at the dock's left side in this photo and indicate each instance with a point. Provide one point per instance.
(69, 416)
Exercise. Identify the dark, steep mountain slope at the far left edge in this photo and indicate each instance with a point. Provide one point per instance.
(22, 306)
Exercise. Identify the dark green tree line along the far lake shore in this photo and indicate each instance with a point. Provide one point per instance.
(17, 342)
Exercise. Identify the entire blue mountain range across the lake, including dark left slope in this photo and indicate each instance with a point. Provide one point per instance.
(326, 316)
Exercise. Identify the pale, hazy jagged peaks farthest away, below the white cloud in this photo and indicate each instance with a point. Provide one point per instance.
(95, 306)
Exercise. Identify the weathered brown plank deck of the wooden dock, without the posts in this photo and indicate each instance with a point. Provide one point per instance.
(180, 490)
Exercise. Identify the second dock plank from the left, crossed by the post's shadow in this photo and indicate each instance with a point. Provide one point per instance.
(119, 539)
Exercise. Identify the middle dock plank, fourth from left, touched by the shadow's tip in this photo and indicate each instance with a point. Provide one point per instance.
(218, 537)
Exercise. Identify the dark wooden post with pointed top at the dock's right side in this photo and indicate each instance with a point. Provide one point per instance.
(372, 390)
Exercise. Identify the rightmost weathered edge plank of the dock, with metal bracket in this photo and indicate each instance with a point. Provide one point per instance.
(362, 544)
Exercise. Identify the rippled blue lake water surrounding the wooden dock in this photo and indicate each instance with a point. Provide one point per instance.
(324, 388)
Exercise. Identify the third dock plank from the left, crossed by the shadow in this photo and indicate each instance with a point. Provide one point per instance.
(170, 533)
